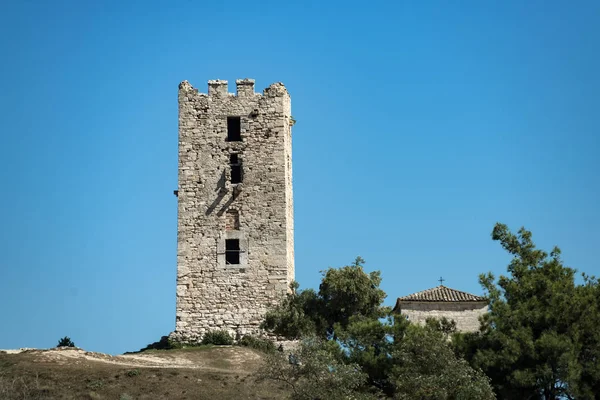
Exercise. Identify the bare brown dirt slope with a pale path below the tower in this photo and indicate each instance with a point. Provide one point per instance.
(224, 372)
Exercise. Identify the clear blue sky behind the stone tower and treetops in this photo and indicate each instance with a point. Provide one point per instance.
(420, 124)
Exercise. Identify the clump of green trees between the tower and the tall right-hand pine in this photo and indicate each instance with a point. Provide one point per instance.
(354, 347)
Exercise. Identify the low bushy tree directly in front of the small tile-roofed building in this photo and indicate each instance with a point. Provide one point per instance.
(407, 361)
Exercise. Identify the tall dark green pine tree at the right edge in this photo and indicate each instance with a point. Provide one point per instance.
(540, 339)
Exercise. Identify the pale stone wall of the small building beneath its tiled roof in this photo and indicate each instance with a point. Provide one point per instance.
(465, 314)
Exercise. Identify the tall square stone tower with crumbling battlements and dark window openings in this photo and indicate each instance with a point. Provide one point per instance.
(235, 225)
